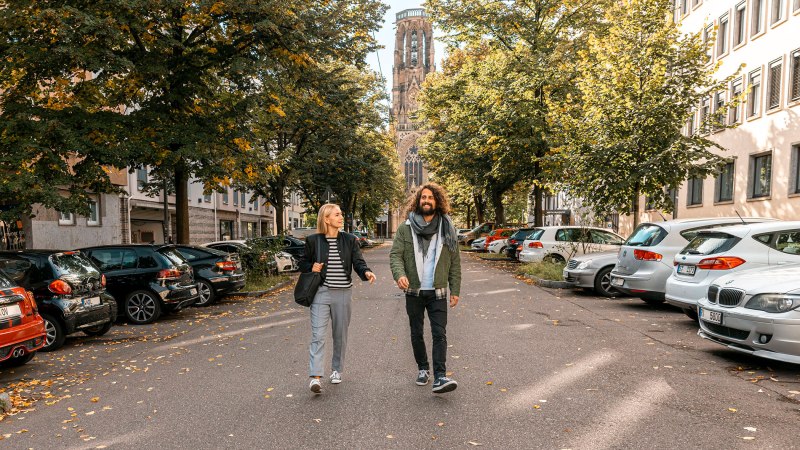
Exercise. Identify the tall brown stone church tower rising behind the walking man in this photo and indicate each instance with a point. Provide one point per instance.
(413, 60)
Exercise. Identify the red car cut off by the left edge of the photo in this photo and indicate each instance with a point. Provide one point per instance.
(21, 327)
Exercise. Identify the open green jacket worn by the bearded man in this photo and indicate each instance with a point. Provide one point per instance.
(402, 263)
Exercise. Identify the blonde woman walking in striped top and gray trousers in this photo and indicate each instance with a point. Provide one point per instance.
(334, 255)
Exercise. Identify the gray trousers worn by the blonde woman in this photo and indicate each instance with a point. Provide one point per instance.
(329, 305)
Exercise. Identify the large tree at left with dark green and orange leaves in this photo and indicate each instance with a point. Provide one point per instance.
(162, 83)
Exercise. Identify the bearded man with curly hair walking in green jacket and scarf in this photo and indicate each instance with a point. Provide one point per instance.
(425, 262)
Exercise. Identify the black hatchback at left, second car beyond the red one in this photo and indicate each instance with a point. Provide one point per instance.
(146, 279)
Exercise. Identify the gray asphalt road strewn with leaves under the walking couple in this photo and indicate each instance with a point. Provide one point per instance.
(537, 368)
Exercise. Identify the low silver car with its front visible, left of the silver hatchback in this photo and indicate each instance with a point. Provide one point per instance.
(593, 271)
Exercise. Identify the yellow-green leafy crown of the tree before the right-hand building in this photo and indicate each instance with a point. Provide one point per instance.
(639, 85)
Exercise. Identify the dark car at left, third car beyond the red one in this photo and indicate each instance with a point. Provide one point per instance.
(216, 272)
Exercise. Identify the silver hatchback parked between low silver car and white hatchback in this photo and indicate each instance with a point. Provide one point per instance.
(646, 259)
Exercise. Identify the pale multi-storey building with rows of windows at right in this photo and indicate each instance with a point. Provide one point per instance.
(763, 178)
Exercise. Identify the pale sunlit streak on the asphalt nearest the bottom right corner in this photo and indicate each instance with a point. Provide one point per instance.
(623, 418)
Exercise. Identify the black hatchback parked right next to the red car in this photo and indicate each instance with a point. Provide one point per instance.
(69, 291)
